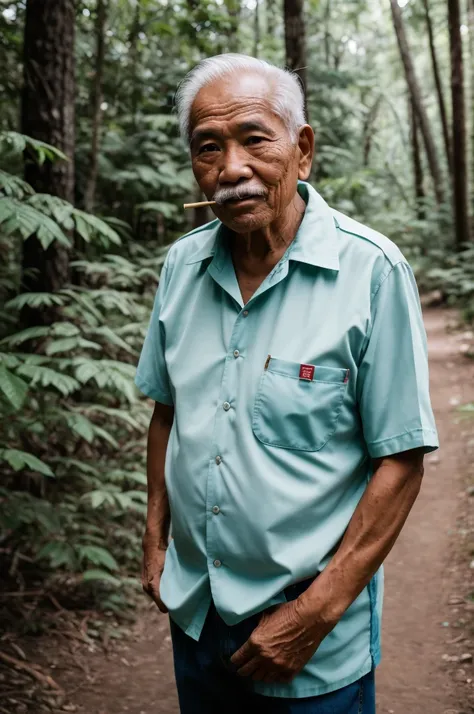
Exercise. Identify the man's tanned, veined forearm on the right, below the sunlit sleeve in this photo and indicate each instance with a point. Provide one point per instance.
(372, 531)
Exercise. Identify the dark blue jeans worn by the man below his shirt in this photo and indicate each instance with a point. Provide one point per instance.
(207, 682)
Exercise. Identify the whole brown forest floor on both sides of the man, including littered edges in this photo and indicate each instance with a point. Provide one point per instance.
(428, 631)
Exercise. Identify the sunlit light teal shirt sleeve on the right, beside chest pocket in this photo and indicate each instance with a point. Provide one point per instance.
(393, 382)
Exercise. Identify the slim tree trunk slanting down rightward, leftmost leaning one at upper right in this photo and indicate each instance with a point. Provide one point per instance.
(417, 100)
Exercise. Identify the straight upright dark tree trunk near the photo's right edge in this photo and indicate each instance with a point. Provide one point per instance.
(460, 190)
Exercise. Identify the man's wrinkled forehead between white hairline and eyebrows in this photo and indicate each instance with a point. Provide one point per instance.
(231, 96)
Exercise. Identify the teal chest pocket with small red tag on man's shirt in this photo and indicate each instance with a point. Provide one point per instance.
(295, 413)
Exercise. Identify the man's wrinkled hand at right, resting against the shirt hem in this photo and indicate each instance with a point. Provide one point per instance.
(281, 644)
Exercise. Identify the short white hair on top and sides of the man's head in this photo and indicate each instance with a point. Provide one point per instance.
(287, 96)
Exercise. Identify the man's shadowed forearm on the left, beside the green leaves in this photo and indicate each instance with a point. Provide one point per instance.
(158, 511)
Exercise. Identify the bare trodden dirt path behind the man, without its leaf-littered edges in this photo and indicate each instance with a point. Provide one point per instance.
(137, 678)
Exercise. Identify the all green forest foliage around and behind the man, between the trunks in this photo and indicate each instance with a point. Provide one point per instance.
(71, 423)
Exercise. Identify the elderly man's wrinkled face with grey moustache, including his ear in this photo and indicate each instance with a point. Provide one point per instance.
(242, 153)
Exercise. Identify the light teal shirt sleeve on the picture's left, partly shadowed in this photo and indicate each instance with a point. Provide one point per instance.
(152, 374)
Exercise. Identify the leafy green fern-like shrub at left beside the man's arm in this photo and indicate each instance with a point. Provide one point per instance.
(72, 425)
